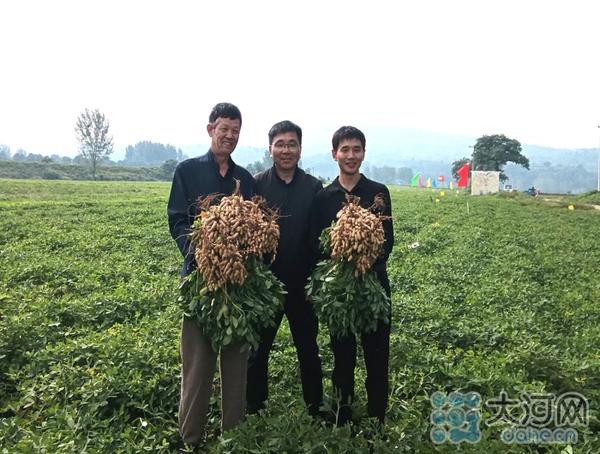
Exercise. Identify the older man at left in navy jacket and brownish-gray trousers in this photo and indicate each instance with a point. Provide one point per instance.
(213, 173)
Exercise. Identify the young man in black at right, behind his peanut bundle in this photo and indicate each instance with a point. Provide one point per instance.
(349, 152)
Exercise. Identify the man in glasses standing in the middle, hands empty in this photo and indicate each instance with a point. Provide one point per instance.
(288, 188)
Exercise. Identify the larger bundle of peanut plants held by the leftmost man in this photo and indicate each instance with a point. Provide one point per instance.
(232, 294)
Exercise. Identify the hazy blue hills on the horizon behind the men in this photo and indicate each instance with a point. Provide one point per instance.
(555, 170)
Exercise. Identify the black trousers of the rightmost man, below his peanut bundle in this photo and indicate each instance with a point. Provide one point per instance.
(376, 349)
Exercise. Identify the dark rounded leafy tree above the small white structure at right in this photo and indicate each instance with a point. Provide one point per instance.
(493, 152)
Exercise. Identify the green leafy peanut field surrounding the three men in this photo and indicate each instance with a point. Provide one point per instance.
(490, 293)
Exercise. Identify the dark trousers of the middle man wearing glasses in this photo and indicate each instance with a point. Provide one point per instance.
(304, 327)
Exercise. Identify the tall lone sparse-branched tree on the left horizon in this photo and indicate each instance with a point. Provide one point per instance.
(96, 144)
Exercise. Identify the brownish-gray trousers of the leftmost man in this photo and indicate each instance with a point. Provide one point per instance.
(197, 373)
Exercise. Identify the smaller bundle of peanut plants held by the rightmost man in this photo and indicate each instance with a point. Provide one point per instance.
(344, 288)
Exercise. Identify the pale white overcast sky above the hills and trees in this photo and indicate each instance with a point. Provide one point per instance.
(528, 69)
